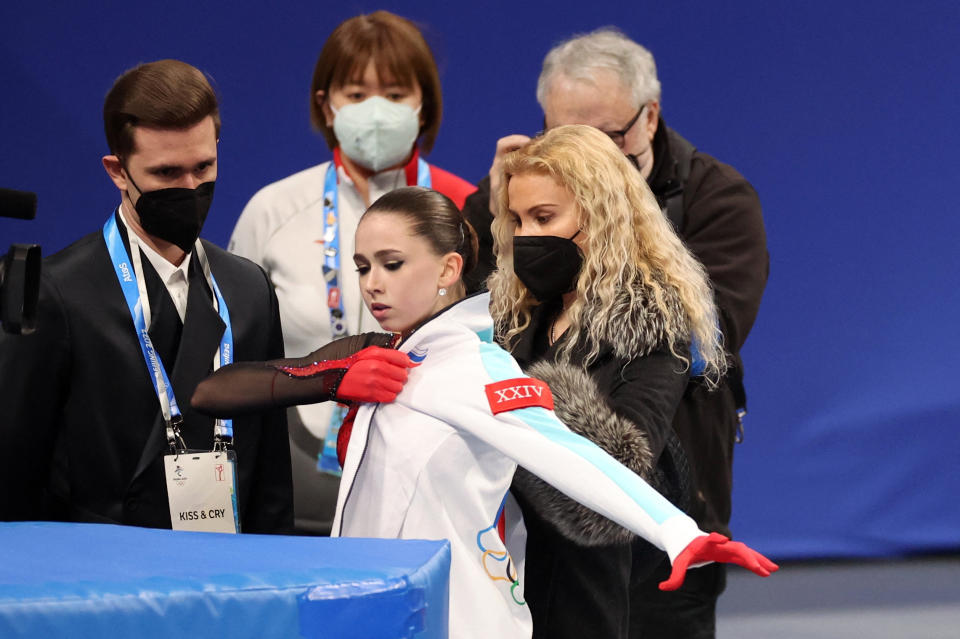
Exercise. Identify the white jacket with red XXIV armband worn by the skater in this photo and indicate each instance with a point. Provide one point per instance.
(437, 464)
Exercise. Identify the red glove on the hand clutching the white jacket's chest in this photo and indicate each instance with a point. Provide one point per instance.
(374, 374)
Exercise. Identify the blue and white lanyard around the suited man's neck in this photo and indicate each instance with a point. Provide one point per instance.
(127, 276)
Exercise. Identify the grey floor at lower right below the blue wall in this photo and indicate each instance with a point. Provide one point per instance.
(819, 600)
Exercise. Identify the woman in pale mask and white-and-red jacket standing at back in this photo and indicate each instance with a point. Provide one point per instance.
(375, 97)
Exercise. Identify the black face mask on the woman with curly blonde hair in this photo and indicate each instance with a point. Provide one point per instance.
(547, 265)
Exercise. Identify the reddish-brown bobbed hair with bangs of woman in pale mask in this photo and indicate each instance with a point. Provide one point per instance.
(398, 51)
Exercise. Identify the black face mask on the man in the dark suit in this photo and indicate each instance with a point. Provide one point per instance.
(174, 215)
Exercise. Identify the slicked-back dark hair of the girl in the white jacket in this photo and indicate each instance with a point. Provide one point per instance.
(434, 217)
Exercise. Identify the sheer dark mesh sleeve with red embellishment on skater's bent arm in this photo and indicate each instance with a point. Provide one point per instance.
(251, 387)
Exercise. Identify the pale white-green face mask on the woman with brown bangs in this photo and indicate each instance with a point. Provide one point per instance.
(376, 133)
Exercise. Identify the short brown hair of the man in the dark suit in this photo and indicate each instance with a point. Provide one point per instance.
(166, 94)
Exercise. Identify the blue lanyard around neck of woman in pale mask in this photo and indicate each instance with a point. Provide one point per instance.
(331, 243)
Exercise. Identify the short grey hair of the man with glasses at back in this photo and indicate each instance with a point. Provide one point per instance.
(607, 48)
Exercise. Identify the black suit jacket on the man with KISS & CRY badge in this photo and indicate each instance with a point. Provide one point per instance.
(81, 438)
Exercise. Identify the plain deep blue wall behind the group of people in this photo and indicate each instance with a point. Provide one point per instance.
(842, 114)
